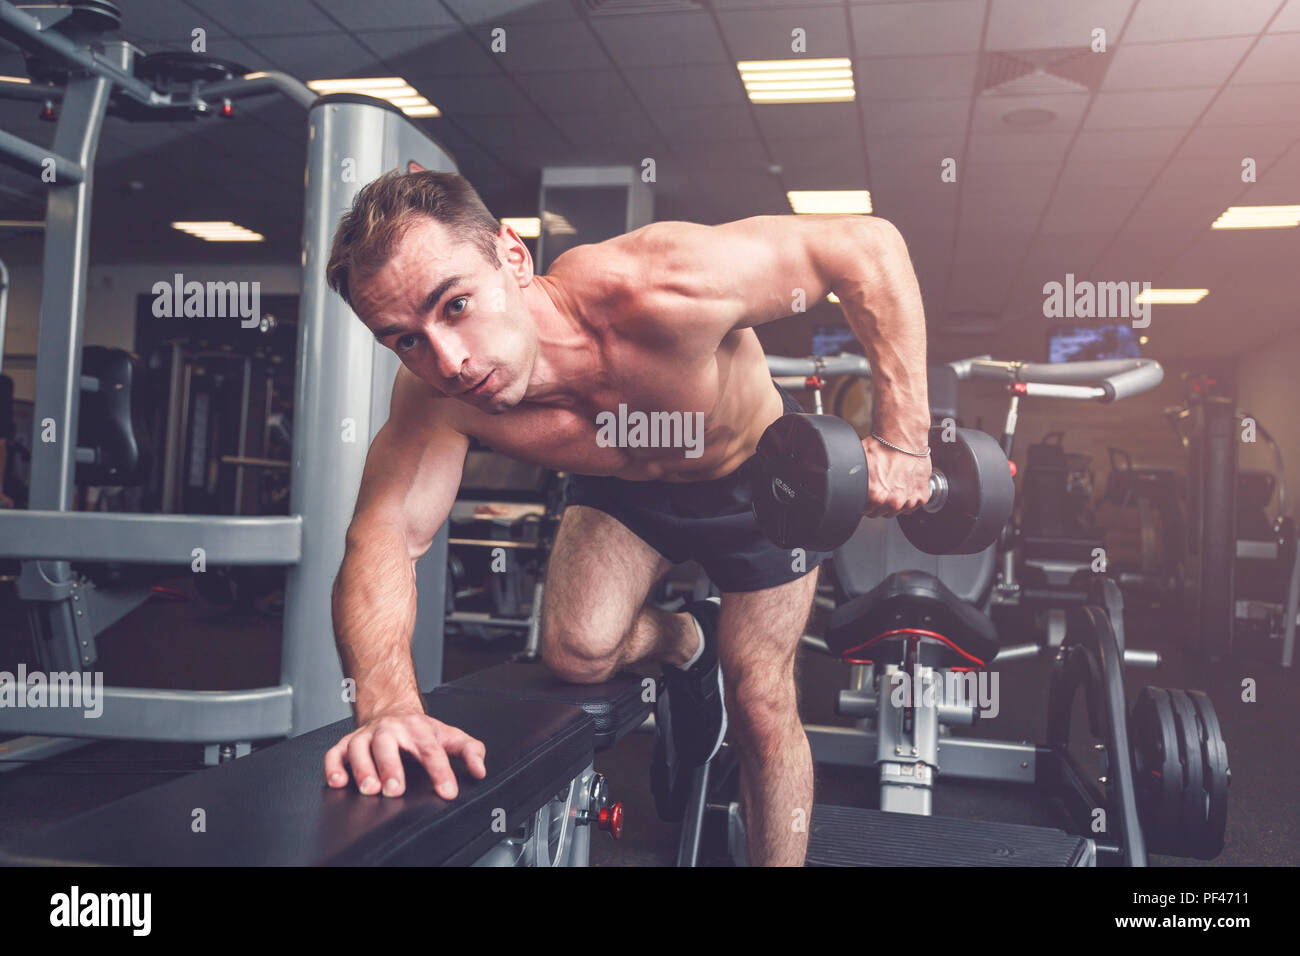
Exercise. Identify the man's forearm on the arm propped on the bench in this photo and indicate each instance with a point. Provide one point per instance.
(375, 608)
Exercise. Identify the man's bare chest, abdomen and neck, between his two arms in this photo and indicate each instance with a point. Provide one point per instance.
(727, 383)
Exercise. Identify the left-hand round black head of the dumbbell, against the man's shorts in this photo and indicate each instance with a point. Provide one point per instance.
(811, 482)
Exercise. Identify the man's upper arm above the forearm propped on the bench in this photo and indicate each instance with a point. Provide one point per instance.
(413, 469)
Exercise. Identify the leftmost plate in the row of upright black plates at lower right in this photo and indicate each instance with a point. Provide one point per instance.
(1158, 769)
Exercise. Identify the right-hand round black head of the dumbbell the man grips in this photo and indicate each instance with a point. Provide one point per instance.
(981, 495)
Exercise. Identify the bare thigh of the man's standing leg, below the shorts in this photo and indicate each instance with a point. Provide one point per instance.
(760, 635)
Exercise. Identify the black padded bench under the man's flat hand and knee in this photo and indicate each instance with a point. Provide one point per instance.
(274, 808)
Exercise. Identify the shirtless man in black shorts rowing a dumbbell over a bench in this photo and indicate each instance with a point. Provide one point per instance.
(658, 319)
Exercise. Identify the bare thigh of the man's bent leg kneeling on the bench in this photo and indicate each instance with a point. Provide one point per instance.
(597, 579)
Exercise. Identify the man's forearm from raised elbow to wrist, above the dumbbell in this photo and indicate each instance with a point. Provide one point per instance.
(882, 302)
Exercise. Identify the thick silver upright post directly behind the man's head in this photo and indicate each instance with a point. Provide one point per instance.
(343, 392)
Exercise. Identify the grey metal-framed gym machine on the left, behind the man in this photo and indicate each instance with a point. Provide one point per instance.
(343, 387)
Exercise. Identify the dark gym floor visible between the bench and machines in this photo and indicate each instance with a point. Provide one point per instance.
(194, 646)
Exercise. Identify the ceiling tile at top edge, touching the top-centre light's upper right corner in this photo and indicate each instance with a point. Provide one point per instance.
(922, 27)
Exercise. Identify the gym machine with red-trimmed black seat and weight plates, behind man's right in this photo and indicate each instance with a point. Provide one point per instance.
(917, 635)
